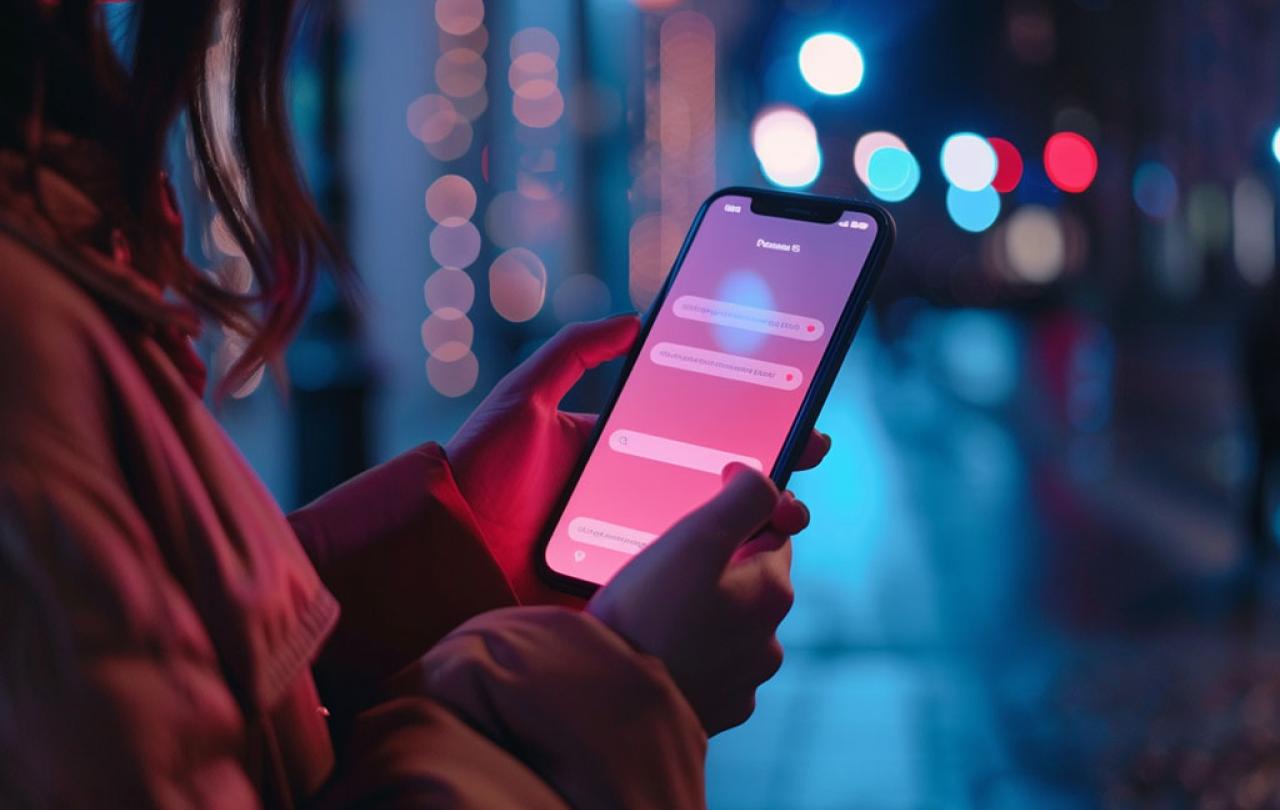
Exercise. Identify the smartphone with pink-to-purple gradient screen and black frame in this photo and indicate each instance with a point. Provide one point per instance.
(734, 363)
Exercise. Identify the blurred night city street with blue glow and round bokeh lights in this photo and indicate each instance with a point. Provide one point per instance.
(1039, 573)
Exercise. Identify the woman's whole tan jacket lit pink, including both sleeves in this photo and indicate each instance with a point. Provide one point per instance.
(172, 640)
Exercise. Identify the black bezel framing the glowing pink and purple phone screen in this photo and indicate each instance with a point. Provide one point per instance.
(842, 340)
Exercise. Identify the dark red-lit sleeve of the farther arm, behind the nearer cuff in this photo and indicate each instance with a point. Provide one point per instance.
(400, 550)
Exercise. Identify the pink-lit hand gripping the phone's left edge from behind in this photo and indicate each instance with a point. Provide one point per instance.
(514, 456)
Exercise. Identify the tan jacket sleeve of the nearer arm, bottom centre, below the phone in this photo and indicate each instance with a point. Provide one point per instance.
(542, 692)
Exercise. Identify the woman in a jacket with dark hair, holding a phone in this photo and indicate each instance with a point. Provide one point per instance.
(170, 638)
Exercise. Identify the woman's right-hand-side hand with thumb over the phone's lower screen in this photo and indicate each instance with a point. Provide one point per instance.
(708, 596)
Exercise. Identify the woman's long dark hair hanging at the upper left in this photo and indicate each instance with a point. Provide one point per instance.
(61, 72)
